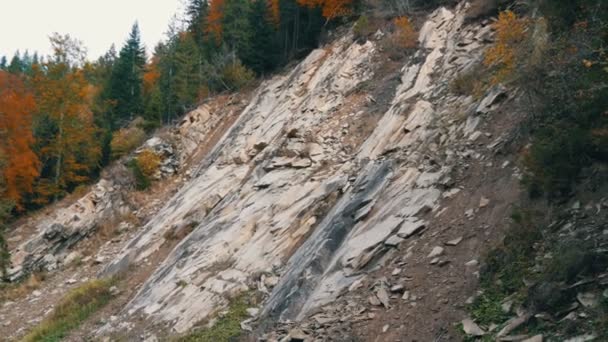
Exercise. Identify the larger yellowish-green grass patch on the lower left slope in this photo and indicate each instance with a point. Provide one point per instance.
(78, 305)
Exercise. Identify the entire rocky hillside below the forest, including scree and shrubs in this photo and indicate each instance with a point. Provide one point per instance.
(362, 194)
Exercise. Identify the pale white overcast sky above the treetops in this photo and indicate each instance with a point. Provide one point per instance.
(27, 24)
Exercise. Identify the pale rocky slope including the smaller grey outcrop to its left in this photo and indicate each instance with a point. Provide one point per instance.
(327, 174)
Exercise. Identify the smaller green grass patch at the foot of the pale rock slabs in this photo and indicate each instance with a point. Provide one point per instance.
(228, 326)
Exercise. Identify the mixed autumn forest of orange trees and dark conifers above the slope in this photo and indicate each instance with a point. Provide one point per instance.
(64, 117)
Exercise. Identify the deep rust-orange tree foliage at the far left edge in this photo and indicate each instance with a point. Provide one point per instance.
(21, 165)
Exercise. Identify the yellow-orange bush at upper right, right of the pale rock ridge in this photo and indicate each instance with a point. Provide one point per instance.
(511, 31)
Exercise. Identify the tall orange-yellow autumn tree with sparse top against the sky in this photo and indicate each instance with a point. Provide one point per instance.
(70, 152)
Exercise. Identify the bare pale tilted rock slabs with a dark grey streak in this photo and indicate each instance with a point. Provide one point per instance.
(278, 196)
